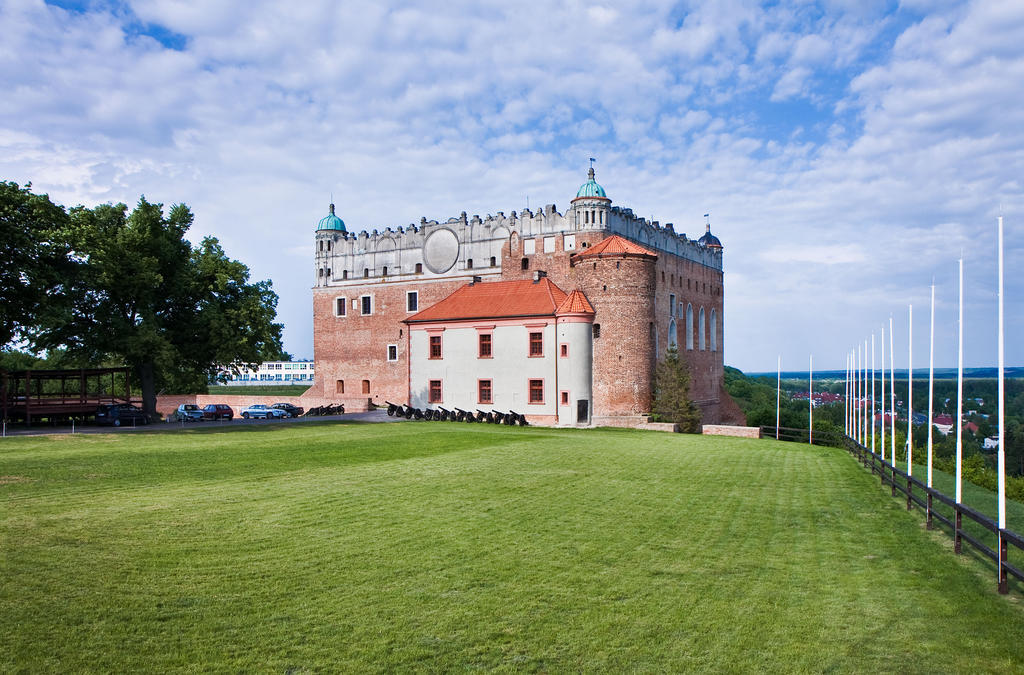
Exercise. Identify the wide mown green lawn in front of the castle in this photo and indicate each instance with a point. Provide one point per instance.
(435, 546)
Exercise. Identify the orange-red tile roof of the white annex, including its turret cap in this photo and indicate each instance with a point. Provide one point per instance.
(496, 301)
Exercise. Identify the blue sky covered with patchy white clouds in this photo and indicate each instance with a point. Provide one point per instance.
(848, 151)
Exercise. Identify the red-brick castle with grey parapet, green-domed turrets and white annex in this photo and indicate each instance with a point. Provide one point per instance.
(560, 317)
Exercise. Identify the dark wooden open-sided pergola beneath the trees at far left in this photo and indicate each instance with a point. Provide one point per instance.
(61, 394)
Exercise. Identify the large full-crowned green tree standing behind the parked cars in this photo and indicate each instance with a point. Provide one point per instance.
(144, 294)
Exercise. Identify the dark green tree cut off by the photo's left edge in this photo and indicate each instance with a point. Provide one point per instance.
(35, 258)
